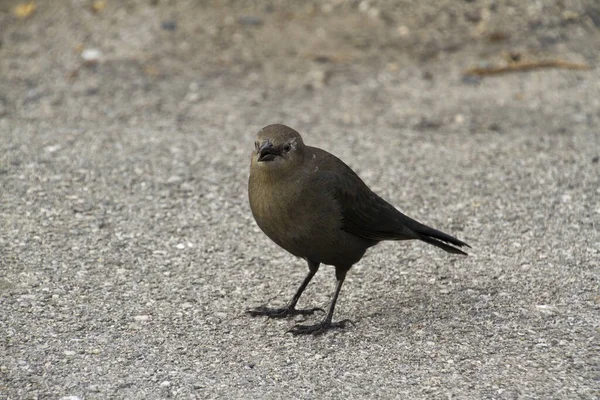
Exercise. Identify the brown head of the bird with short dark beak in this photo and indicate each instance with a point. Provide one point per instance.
(278, 149)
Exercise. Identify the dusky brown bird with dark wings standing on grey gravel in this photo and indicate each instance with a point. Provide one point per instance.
(313, 205)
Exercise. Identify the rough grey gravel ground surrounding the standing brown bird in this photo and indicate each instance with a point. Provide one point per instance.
(128, 253)
